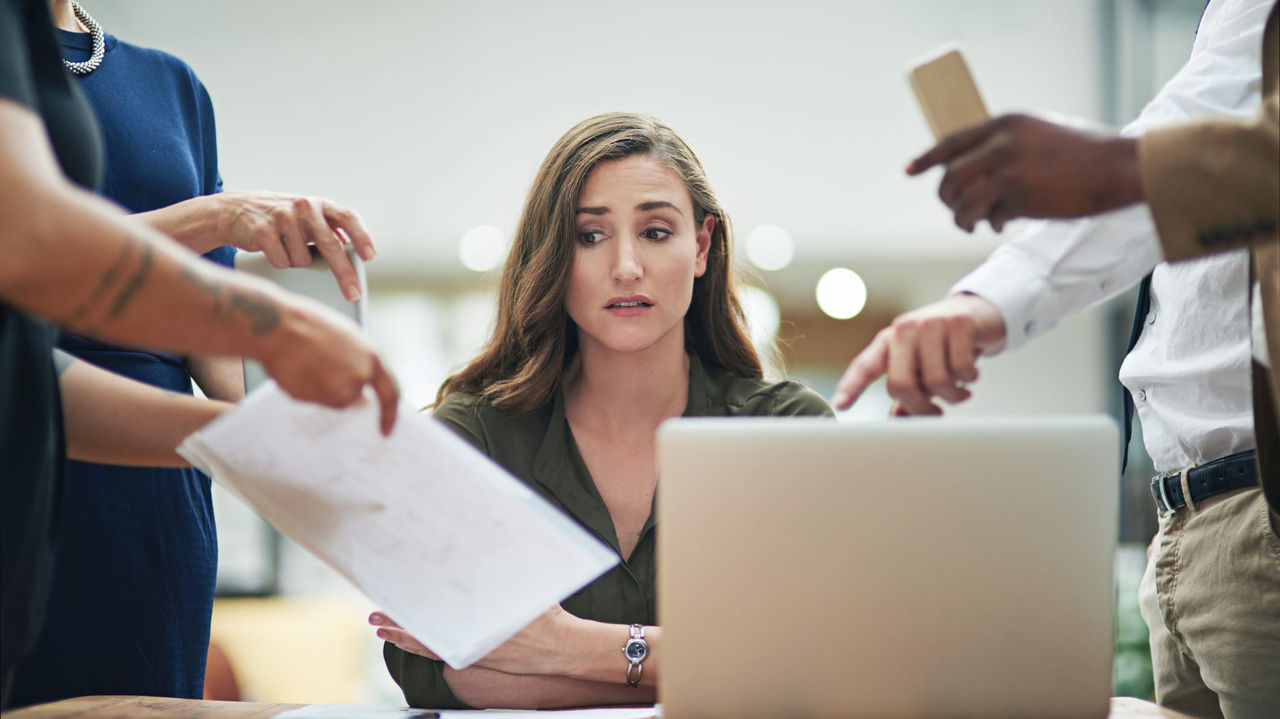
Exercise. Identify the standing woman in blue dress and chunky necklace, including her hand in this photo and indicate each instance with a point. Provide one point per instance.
(134, 584)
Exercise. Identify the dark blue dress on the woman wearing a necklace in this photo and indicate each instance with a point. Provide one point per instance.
(136, 562)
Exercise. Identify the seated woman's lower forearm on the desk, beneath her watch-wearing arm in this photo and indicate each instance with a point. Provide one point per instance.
(499, 690)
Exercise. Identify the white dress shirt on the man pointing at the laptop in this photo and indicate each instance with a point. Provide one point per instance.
(1190, 372)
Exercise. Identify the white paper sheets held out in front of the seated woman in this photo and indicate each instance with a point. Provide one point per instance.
(444, 541)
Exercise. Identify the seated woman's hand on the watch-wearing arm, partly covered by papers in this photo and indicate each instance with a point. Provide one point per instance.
(533, 651)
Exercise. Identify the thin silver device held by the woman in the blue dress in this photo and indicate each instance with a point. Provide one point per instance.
(316, 282)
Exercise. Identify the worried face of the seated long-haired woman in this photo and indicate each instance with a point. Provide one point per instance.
(638, 251)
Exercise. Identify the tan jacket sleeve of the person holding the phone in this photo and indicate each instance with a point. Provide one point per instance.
(1215, 186)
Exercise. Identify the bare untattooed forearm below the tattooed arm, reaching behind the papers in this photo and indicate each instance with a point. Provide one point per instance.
(115, 420)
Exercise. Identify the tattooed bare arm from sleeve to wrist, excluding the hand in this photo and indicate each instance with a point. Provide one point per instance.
(81, 263)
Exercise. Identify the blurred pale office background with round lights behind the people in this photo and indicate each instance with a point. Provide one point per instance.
(431, 120)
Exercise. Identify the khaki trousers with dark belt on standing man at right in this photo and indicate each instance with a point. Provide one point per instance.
(1212, 598)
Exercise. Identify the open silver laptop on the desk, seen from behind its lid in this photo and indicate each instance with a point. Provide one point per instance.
(917, 569)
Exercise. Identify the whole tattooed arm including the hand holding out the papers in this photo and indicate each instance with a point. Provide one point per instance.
(80, 263)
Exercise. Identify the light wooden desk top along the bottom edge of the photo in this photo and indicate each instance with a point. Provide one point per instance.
(158, 708)
